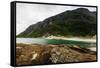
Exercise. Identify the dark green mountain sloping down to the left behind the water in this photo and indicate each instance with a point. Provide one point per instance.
(78, 22)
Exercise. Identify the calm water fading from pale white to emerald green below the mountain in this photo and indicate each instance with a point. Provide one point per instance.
(53, 41)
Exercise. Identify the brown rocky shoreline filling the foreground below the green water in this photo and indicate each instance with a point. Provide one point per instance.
(35, 54)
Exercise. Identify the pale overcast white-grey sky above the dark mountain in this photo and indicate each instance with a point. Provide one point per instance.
(28, 14)
